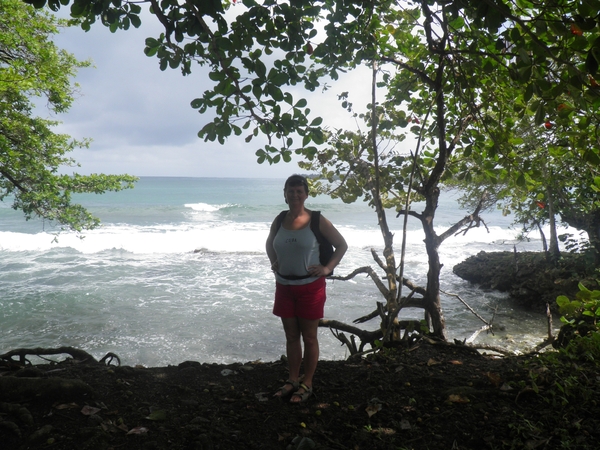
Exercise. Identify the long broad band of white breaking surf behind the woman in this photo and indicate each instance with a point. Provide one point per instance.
(239, 237)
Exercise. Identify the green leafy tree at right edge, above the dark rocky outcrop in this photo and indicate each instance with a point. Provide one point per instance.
(553, 156)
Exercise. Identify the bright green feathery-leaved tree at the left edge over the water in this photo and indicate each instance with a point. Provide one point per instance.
(30, 152)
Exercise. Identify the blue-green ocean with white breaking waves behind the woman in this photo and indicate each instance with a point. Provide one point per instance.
(178, 272)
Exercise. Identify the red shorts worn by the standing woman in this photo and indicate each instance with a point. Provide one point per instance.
(306, 301)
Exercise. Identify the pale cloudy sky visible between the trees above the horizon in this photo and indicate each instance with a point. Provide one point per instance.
(140, 118)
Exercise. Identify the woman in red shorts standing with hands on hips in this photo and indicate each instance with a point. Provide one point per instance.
(300, 294)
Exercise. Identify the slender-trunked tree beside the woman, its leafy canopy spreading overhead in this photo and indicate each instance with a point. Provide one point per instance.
(460, 69)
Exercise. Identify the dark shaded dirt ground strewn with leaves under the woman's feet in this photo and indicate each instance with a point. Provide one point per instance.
(419, 396)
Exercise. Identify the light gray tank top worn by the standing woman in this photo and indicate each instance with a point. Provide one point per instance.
(296, 250)
